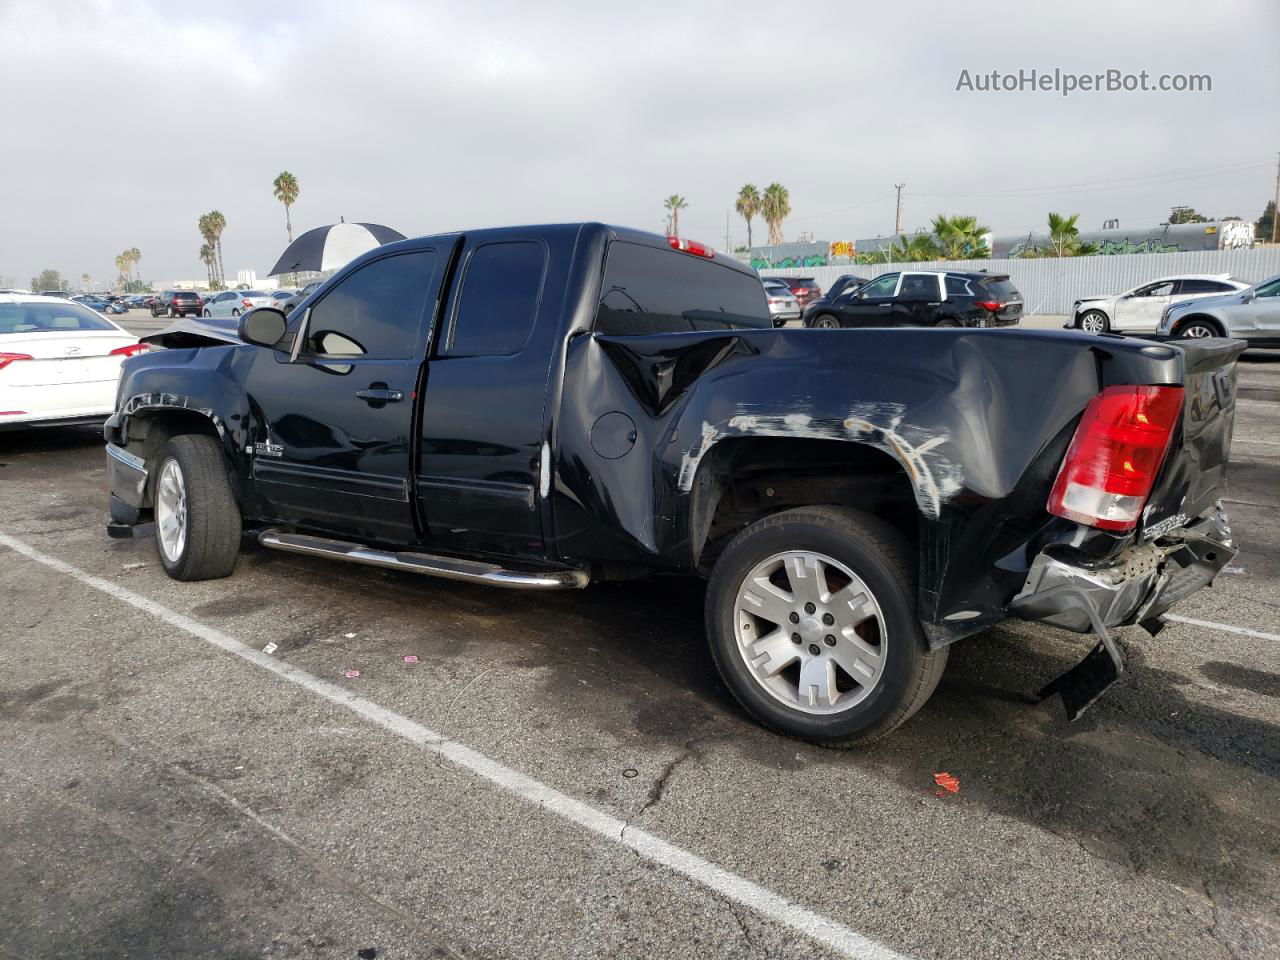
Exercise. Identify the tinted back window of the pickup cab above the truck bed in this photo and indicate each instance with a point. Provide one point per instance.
(650, 291)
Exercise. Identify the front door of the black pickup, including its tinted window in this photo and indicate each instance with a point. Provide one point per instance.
(333, 417)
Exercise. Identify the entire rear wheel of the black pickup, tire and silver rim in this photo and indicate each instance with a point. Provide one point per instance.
(811, 615)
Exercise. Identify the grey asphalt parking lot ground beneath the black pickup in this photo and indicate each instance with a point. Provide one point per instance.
(564, 776)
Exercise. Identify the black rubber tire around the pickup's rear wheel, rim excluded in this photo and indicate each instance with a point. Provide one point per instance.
(886, 564)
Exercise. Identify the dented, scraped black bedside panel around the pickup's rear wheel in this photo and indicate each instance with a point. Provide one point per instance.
(979, 420)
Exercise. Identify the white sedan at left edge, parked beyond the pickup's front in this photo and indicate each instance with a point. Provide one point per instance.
(60, 363)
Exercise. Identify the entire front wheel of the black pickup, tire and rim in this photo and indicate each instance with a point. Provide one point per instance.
(198, 519)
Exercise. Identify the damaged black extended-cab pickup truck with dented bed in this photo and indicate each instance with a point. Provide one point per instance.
(550, 406)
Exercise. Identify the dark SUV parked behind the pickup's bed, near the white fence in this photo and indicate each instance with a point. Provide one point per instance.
(922, 299)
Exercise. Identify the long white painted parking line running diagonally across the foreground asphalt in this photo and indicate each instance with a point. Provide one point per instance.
(730, 885)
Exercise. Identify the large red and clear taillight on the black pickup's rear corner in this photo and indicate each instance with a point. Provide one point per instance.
(1117, 454)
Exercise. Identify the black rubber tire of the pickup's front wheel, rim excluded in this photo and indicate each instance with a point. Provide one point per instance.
(213, 519)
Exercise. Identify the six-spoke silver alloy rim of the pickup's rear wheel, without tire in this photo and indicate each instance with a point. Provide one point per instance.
(811, 633)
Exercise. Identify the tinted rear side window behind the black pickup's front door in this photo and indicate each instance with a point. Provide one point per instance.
(499, 304)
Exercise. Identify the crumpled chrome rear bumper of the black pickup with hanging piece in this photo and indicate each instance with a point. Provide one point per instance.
(1136, 588)
